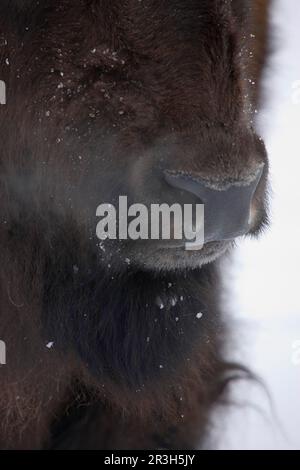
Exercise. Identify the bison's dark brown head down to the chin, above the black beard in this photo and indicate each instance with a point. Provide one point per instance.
(149, 99)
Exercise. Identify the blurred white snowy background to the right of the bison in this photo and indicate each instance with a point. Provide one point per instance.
(265, 279)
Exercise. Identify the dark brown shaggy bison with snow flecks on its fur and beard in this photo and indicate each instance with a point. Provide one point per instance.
(122, 345)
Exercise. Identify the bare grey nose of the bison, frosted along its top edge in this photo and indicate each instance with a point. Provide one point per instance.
(227, 203)
